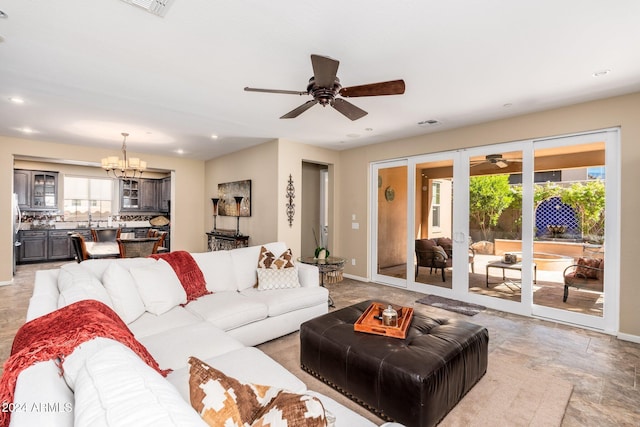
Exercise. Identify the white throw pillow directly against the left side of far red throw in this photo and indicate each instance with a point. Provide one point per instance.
(159, 287)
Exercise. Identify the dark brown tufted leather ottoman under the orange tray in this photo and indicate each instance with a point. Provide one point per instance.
(415, 381)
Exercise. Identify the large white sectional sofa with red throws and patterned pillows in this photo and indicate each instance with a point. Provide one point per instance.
(105, 383)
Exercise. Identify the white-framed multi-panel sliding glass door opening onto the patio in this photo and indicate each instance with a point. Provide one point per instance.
(517, 225)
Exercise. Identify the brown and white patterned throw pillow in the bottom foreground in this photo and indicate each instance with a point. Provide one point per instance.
(225, 401)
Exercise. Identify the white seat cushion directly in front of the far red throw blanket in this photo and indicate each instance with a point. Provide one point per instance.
(228, 310)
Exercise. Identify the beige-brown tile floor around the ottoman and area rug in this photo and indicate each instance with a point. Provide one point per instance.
(604, 371)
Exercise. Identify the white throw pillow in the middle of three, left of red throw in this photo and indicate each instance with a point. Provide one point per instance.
(123, 291)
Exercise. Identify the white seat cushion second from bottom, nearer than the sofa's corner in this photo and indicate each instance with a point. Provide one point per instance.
(172, 348)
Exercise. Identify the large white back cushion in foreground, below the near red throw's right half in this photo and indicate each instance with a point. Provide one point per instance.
(116, 388)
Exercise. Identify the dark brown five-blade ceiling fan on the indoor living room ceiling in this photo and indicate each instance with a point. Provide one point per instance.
(324, 86)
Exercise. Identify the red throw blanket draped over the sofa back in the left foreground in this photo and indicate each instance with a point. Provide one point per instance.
(56, 335)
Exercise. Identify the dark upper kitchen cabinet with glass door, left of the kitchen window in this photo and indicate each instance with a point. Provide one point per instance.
(36, 190)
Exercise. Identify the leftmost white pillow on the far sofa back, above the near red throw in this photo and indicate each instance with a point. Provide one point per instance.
(77, 284)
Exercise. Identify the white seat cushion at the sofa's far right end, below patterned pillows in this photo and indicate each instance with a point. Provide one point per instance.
(280, 301)
